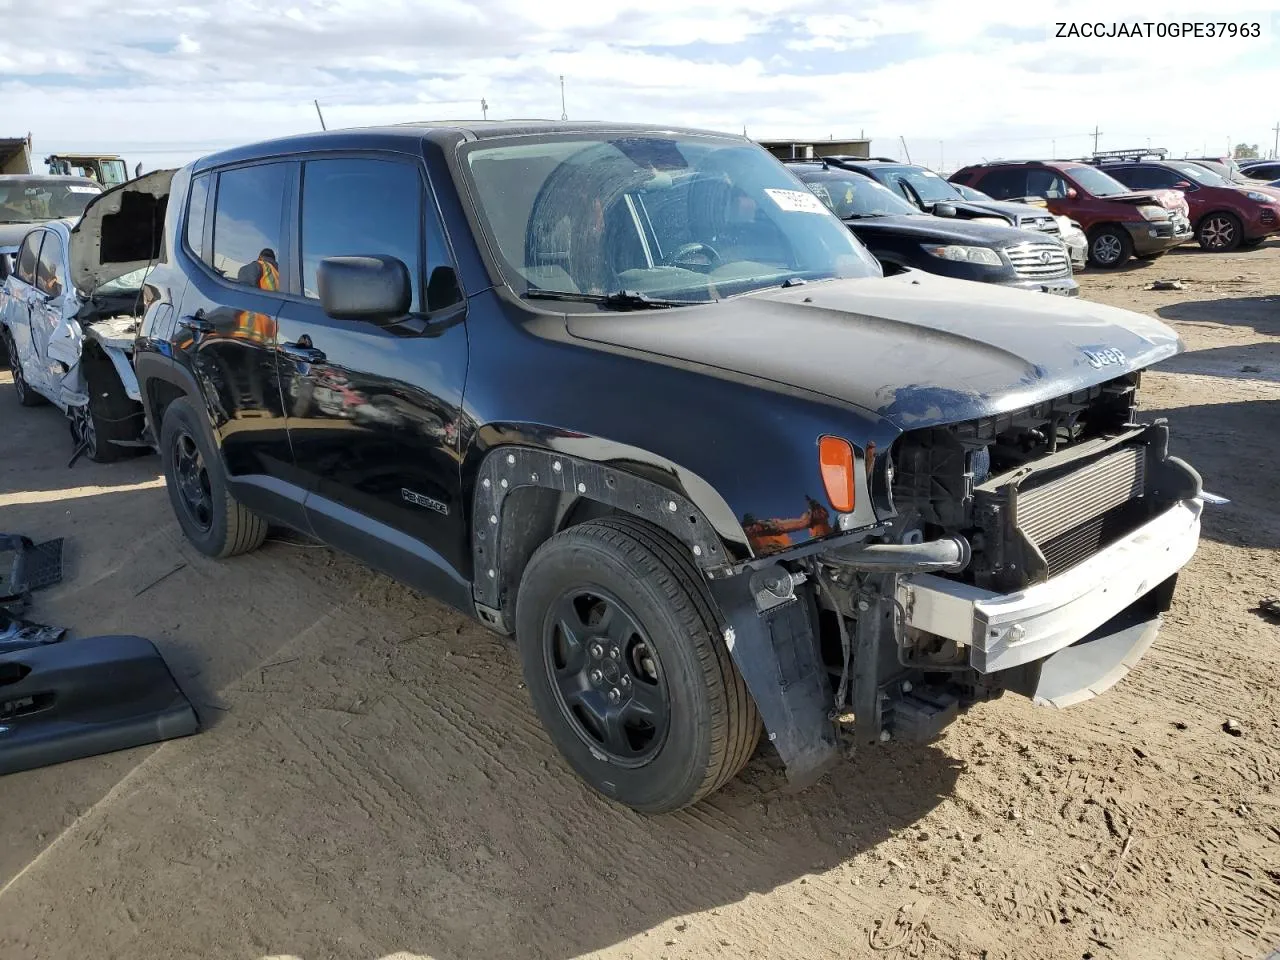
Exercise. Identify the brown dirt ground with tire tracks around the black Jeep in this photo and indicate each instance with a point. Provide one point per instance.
(373, 783)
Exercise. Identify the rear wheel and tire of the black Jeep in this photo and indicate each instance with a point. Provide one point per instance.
(193, 470)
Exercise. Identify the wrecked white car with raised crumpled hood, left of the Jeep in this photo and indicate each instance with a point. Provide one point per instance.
(71, 309)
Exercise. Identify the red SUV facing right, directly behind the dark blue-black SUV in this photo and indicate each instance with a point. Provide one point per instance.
(1118, 222)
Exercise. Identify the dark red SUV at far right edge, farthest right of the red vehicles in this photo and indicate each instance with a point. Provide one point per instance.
(1224, 216)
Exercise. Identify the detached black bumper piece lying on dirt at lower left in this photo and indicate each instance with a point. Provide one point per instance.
(81, 698)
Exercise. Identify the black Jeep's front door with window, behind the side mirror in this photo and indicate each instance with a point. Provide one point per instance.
(373, 412)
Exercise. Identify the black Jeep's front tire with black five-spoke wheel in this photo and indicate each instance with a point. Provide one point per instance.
(674, 657)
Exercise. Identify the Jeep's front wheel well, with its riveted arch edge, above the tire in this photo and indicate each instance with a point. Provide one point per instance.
(524, 497)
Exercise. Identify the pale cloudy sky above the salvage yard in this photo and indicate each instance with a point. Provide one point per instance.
(166, 81)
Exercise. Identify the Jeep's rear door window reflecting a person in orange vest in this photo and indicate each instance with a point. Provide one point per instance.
(248, 225)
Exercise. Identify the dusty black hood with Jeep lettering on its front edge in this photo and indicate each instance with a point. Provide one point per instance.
(915, 349)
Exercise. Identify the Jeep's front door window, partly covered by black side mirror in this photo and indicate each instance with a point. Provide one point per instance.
(362, 207)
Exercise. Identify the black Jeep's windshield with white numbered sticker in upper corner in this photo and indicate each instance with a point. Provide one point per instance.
(680, 218)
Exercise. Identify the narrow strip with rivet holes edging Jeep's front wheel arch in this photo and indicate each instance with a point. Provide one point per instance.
(510, 468)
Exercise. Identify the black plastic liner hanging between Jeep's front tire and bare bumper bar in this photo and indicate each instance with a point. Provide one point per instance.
(779, 657)
